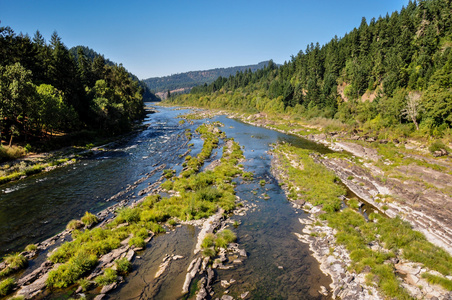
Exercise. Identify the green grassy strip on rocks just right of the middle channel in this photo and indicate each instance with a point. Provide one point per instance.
(311, 182)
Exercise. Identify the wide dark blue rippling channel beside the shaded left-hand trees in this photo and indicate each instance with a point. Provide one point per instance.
(40, 206)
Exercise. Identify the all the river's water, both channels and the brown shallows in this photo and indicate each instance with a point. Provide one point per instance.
(278, 265)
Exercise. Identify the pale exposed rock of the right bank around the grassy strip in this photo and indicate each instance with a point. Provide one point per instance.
(400, 179)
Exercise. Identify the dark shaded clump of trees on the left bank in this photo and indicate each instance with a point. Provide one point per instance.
(48, 90)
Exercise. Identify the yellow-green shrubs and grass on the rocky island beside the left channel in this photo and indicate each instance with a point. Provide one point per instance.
(196, 195)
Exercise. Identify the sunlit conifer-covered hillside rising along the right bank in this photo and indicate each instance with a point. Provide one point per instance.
(392, 72)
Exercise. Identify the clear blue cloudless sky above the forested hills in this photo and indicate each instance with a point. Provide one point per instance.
(157, 38)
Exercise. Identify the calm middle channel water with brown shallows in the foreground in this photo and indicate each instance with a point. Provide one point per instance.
(278, 265)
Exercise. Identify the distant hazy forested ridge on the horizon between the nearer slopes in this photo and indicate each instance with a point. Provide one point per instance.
(195, 78)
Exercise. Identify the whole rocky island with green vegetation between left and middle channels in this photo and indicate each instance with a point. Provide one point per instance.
(125, 228)
